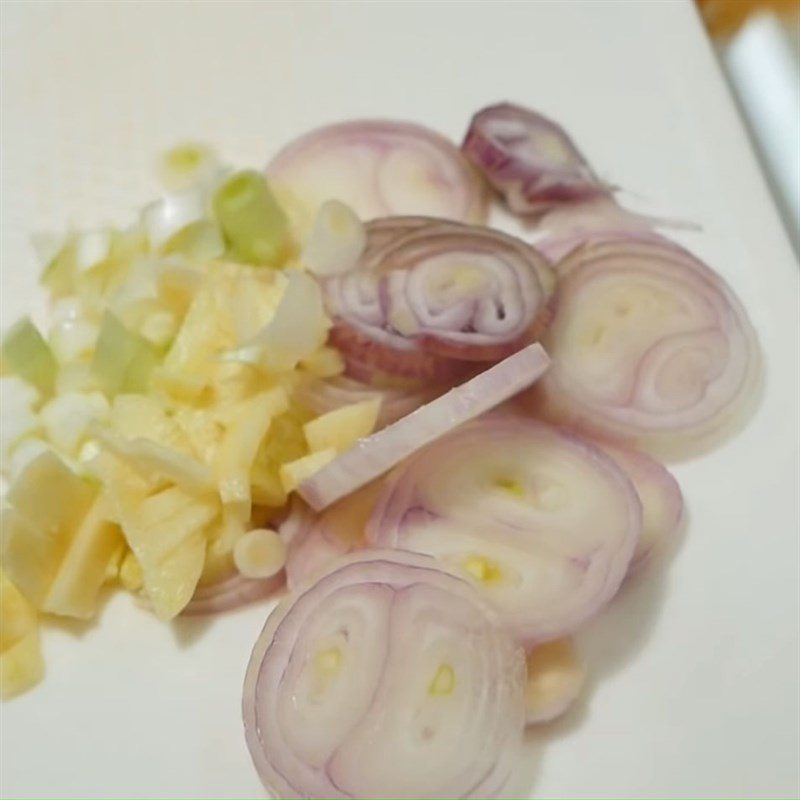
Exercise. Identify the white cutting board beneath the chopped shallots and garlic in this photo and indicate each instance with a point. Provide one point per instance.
(695, 668)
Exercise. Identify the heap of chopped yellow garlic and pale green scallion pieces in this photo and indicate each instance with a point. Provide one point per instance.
(161, 411)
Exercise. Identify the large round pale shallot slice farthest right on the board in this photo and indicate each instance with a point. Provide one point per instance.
(649, 347)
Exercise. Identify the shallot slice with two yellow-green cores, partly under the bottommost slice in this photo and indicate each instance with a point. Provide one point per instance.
(543, 524)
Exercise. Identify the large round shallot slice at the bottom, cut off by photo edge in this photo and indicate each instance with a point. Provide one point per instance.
(386, 678)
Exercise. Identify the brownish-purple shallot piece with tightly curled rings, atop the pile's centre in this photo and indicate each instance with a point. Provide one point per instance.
(429, 293)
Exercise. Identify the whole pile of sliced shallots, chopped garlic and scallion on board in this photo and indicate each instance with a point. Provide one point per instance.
(333, 376)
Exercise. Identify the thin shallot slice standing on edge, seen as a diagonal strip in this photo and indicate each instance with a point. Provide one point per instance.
(378, 453)
